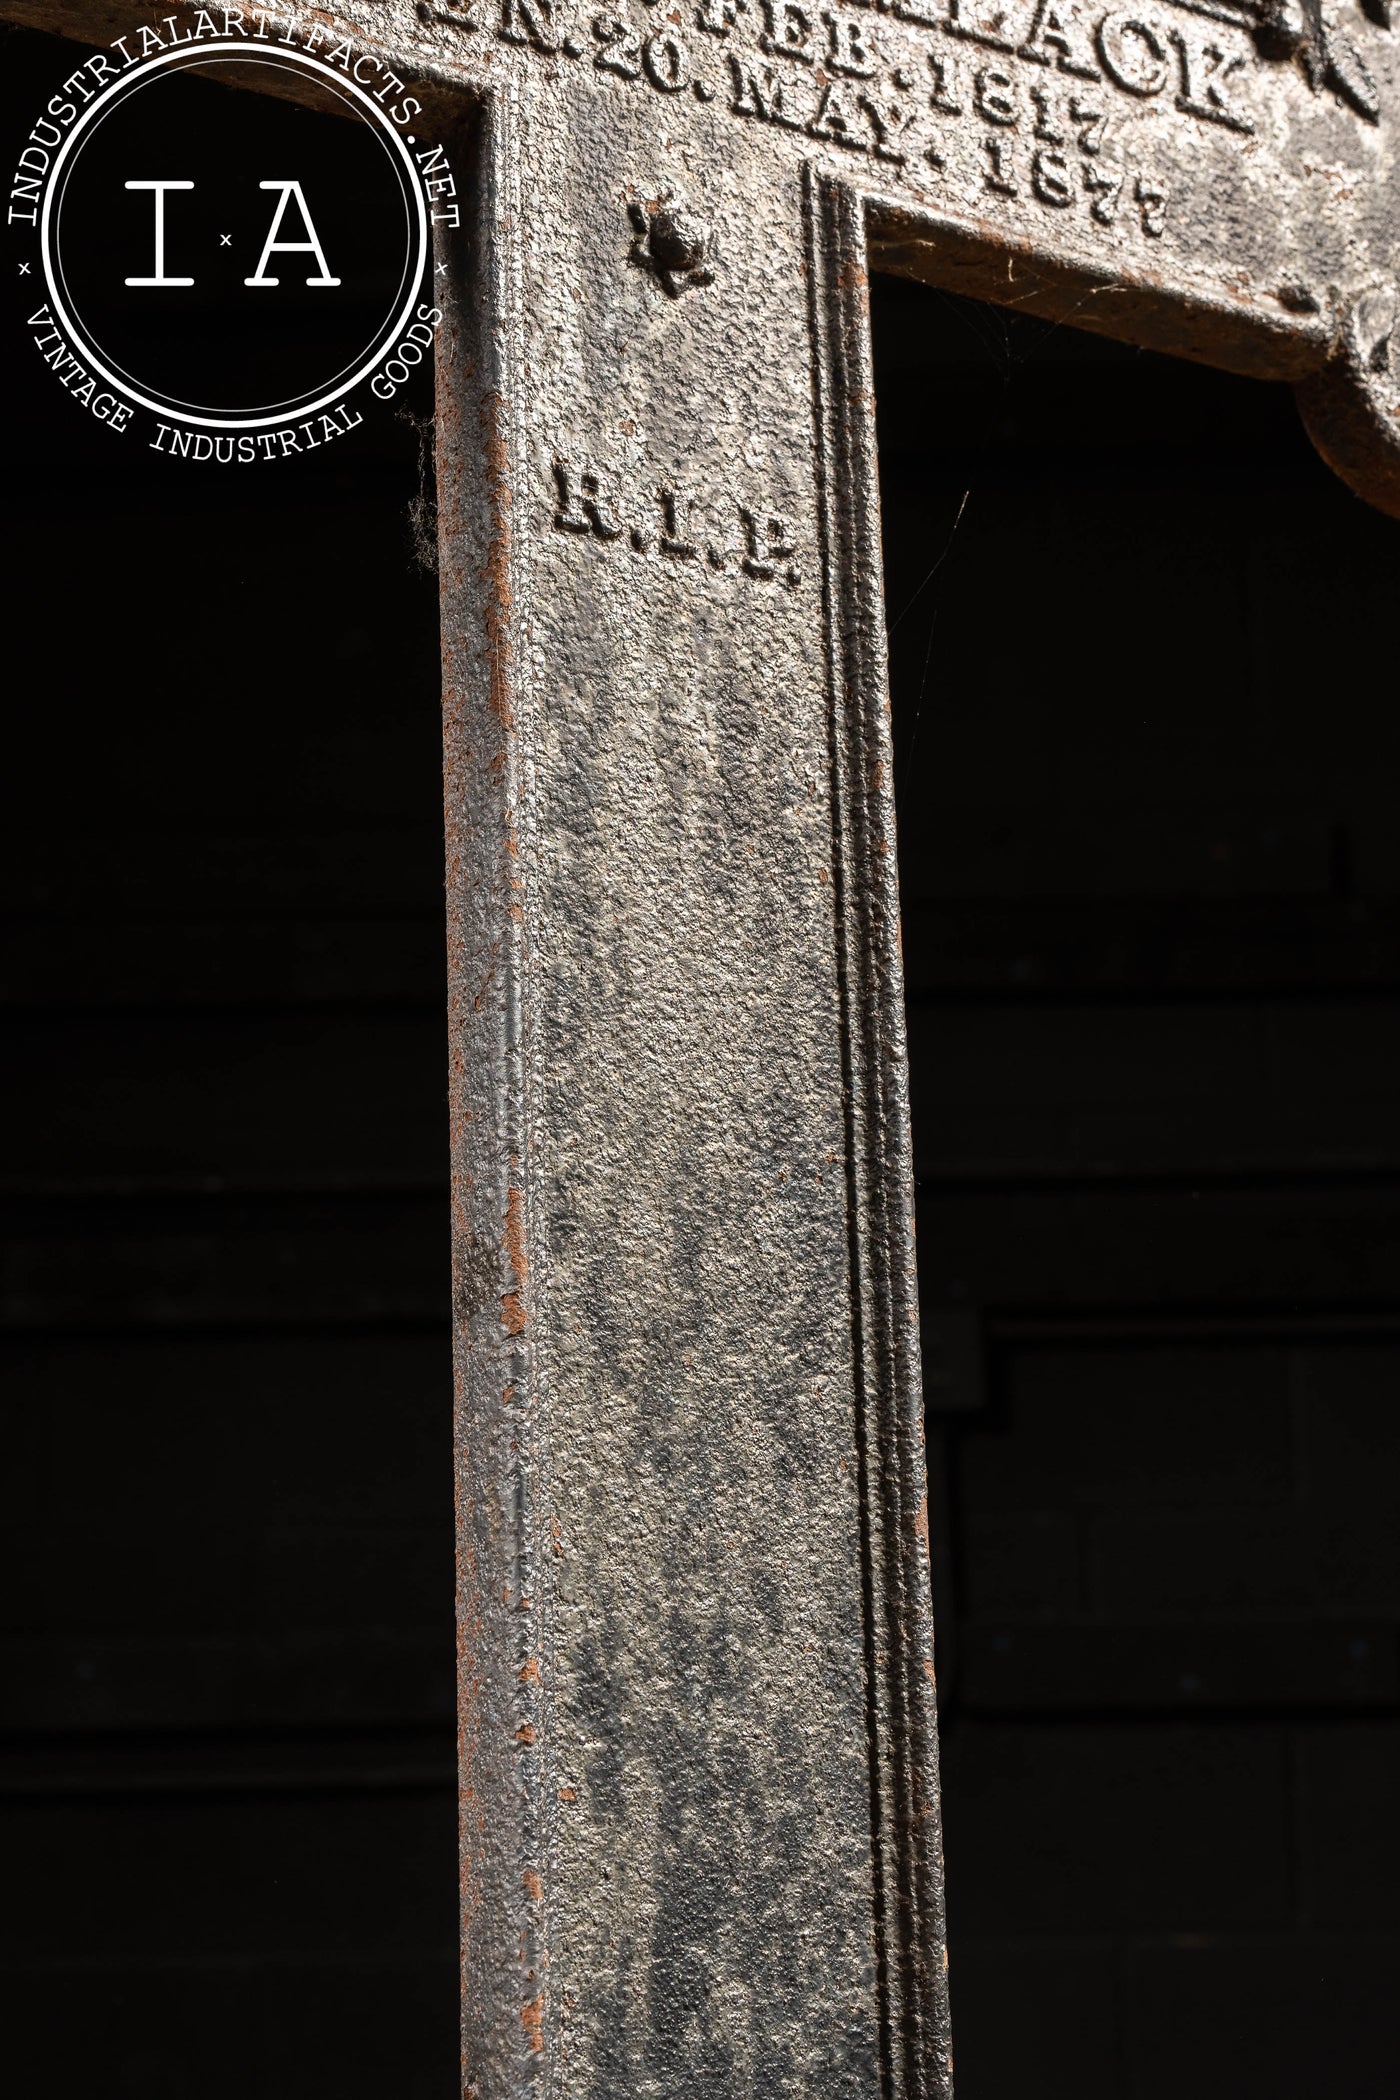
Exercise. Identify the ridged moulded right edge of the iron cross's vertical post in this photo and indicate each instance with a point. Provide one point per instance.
(901, 1708)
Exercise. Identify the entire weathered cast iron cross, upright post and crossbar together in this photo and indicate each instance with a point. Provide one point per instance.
(700, 1839)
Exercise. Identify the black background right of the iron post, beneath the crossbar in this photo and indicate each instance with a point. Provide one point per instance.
(1147, 751)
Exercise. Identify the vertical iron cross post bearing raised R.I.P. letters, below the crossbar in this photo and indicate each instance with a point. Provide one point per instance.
(698, 1734)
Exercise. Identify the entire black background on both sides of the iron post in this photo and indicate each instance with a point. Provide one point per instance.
(1145, 717)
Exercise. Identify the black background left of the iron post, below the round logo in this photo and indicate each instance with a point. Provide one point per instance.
(228, 1654)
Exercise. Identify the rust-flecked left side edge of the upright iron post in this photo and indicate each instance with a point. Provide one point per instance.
(507, 1769)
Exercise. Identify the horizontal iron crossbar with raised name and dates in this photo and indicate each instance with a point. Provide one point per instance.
(1210, 177)
